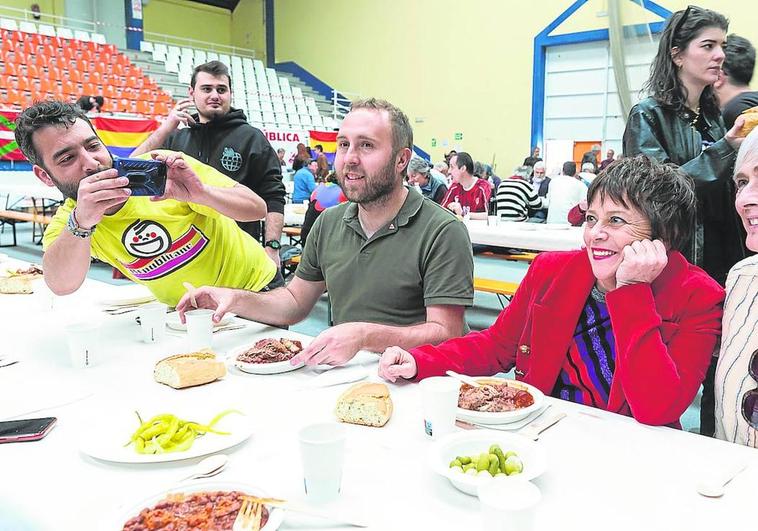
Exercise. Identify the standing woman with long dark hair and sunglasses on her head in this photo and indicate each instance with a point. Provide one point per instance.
(681, 123)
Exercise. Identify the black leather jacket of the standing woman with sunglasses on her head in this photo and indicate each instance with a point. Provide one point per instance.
(666, 134)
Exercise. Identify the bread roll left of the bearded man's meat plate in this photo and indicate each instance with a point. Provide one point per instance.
(187, 370)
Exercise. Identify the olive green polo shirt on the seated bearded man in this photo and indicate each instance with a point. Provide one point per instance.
(421, 258)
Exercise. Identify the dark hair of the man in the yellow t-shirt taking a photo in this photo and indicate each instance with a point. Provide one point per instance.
(44, 114)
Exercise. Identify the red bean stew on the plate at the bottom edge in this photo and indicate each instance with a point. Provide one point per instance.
(206, 511)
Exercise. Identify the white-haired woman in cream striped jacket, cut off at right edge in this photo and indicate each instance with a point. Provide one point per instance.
(737, 371)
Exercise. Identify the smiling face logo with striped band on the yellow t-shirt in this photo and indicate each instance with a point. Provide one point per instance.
(156, 254)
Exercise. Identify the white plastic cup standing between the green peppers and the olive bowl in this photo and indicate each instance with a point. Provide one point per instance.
(322, 450)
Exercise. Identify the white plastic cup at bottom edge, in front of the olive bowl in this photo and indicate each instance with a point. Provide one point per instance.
(508, 504)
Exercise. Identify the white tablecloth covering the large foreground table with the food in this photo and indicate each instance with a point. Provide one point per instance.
(604, 471)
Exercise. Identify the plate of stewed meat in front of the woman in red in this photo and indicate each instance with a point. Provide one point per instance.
(498, 401)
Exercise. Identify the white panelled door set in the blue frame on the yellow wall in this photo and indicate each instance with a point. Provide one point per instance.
(581, 99)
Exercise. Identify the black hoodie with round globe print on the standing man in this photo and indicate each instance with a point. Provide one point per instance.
(238, 150)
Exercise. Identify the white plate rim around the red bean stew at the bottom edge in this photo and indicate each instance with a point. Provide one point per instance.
(116, 522)
